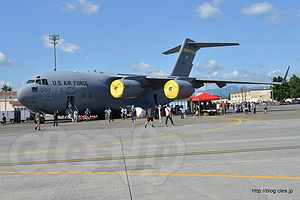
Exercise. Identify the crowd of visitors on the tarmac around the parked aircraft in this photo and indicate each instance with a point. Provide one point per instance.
(156, 113)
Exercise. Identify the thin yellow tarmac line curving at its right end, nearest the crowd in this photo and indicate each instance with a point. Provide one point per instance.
(132, 141)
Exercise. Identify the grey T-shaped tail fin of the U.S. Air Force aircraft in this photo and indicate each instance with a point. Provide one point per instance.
(187, 51)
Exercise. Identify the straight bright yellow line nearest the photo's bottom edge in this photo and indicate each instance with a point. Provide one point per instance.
(157, 174)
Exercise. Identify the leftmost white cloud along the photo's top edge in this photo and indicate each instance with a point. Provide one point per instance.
(86, 6)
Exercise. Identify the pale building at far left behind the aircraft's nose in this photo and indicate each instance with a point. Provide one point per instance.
(11, 101)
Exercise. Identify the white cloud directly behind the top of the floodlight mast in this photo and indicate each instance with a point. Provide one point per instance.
(62, 44)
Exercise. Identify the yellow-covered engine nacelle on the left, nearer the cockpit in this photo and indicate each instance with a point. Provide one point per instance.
(126, 89)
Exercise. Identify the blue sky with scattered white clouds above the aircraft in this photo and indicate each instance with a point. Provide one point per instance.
(117, 36)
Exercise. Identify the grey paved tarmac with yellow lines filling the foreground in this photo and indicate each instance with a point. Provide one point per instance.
(235, 156)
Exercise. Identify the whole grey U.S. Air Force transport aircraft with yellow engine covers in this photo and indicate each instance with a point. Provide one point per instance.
(57, 90)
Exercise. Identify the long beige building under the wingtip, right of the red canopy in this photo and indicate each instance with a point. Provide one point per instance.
(254, 95)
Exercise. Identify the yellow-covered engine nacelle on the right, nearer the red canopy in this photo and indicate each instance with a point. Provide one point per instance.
(178, 89)
